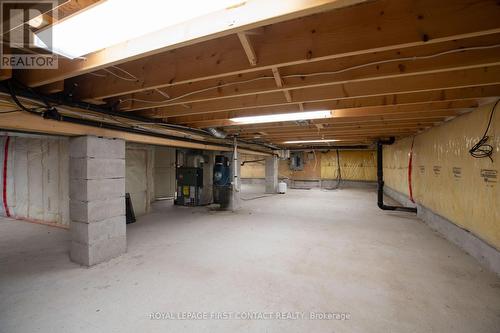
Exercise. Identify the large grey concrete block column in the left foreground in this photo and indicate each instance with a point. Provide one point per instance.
(97, 199)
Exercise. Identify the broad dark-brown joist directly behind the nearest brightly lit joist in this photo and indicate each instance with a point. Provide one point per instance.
(312, 38)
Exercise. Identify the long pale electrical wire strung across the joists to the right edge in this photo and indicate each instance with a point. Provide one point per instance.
(380, 62)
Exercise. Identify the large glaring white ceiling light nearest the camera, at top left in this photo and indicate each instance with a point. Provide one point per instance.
(115, 21)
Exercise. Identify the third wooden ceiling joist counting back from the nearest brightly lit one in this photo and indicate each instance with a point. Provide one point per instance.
(303, 77)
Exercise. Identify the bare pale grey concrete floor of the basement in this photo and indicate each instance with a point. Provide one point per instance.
(308, 250)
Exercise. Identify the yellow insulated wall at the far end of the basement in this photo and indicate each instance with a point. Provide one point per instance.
(354, 165)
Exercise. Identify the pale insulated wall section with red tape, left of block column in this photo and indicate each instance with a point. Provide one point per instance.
(37, 179)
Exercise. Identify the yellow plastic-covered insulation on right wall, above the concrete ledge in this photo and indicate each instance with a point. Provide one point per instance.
(446, 179)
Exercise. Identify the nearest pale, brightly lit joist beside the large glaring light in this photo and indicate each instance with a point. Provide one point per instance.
(249, 15)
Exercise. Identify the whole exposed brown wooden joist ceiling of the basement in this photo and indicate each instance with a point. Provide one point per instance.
(384, 67)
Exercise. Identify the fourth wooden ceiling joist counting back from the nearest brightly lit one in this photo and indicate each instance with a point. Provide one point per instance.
(410, 84)
